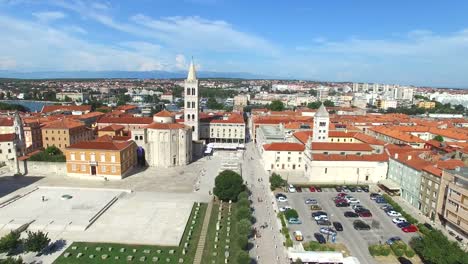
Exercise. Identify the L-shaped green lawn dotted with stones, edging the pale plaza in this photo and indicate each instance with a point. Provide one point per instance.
(137, 251)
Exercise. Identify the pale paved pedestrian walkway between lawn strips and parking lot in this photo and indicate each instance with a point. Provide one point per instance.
(268, 248)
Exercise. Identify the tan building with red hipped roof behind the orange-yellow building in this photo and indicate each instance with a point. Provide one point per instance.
(64, 132)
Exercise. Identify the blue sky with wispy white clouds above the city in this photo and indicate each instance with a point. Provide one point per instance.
(408, 42)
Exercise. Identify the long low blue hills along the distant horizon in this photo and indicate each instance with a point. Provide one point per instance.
(125, 74)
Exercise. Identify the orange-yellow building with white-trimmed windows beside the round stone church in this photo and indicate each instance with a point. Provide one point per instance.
(101, 158)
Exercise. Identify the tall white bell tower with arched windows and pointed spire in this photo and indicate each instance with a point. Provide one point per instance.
(191, 102)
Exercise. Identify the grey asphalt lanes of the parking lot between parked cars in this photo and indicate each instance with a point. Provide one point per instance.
(382, 227)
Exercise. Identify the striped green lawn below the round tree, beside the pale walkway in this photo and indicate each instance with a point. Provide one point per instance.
(234, 249)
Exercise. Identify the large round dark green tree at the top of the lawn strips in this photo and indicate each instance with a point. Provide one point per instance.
(228, 185)
